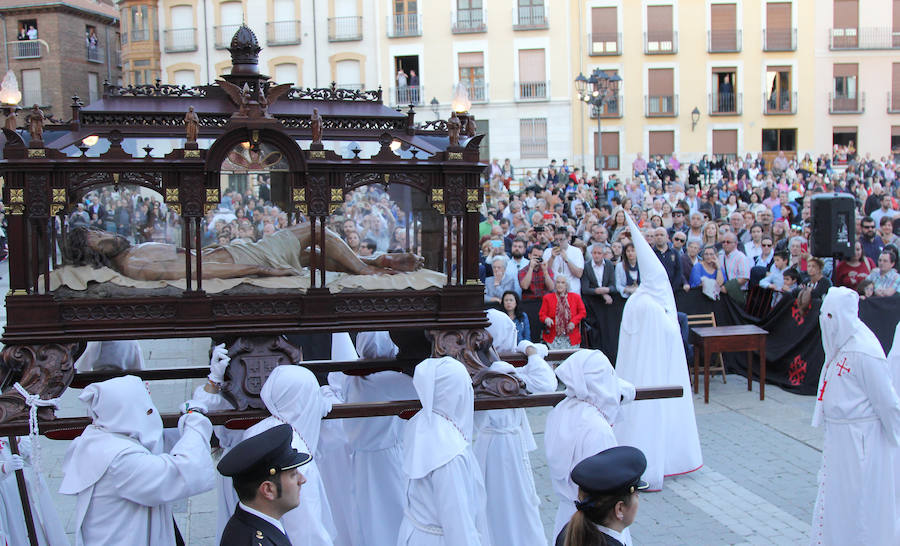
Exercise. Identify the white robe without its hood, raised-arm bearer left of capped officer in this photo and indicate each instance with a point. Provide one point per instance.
(131, 502)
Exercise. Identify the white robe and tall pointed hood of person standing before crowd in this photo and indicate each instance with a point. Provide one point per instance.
(651, 352)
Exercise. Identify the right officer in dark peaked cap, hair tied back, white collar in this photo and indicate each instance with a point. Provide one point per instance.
(608, 485)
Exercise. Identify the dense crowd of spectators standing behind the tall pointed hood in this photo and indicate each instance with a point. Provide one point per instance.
(725, 226)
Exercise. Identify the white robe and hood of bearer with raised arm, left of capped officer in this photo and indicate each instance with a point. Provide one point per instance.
(124, 482)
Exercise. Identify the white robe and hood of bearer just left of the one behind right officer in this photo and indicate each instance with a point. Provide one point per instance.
(503, 439)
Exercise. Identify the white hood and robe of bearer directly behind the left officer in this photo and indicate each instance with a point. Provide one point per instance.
(291, 394)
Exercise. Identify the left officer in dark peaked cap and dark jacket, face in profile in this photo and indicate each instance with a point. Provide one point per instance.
(265, 472)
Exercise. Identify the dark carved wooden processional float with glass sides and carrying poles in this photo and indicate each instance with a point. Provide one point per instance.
(206, 140)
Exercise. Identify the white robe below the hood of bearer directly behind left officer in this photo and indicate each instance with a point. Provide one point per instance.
(310, 524)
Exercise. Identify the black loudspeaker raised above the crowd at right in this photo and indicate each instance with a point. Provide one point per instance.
(833, 225)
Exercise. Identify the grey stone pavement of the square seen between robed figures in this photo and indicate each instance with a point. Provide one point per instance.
(757, 485)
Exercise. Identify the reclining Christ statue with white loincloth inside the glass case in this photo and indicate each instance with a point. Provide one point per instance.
(281, 254)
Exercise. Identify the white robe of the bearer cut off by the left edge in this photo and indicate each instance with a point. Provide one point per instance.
(48, 527)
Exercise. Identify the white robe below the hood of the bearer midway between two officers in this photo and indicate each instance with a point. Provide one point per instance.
(434, 516)
